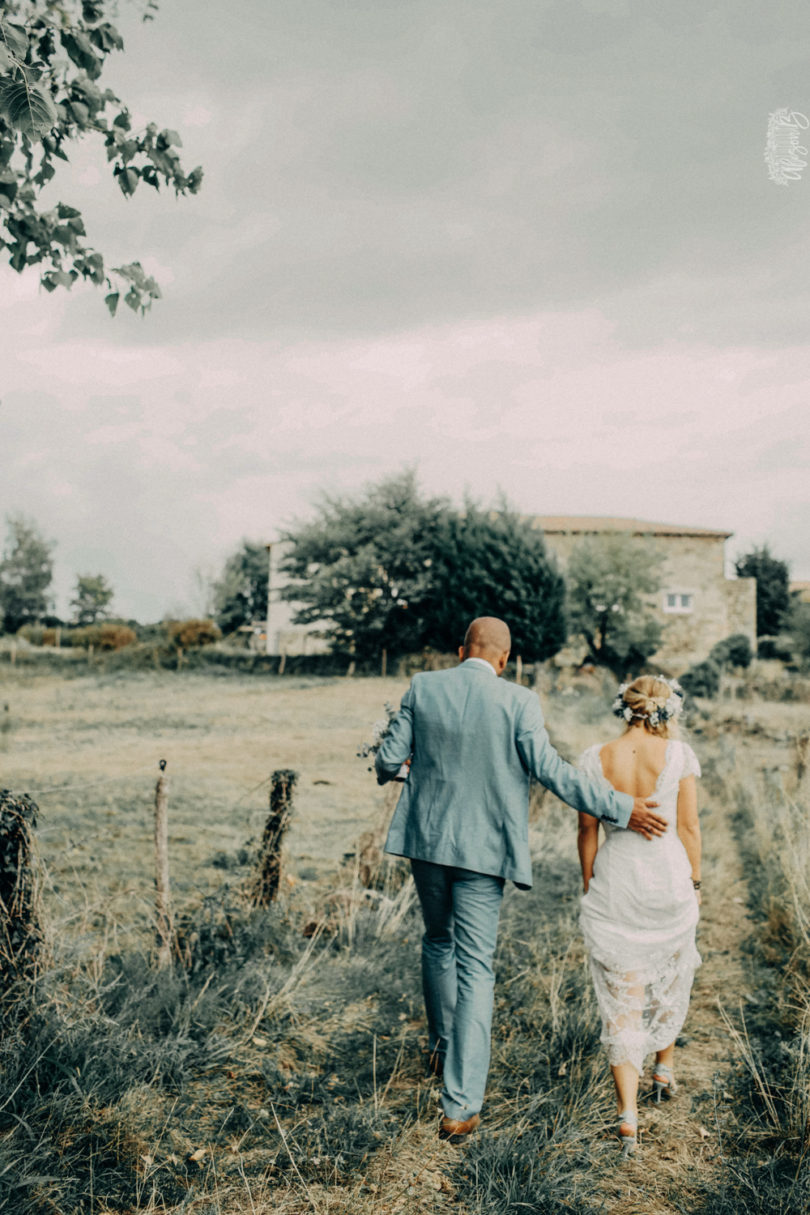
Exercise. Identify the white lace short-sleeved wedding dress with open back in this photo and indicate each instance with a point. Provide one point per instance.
(639, 919)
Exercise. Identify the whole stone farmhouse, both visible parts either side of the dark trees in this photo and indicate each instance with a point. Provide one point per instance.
(698, 604)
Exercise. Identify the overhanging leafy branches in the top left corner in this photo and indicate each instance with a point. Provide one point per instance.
(53, 54)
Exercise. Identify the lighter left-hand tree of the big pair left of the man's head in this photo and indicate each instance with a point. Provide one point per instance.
(362, 568)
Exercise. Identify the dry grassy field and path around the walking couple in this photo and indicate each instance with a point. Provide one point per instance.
(282, 1072)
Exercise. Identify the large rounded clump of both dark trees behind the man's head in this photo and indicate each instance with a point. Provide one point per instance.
(390, 569)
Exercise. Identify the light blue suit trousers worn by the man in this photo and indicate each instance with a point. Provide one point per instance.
(461, 911)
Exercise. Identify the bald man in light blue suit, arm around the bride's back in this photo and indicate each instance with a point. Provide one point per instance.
(475, 743)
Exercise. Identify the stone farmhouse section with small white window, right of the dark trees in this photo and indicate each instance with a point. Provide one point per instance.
(698, 604)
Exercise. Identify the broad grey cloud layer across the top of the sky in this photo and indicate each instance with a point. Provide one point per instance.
(422, 163)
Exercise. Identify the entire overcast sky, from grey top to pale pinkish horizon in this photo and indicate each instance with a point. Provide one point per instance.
(518, 245)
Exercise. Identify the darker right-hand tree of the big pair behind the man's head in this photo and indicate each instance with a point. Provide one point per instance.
(490, 563)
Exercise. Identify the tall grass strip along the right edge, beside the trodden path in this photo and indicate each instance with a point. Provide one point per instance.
(767, 1141)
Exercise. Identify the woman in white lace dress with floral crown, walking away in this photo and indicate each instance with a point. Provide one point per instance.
(641, 907)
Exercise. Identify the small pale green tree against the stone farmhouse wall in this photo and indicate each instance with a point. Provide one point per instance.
(609, 581)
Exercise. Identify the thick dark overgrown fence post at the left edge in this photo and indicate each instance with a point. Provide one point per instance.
(21, 935)
